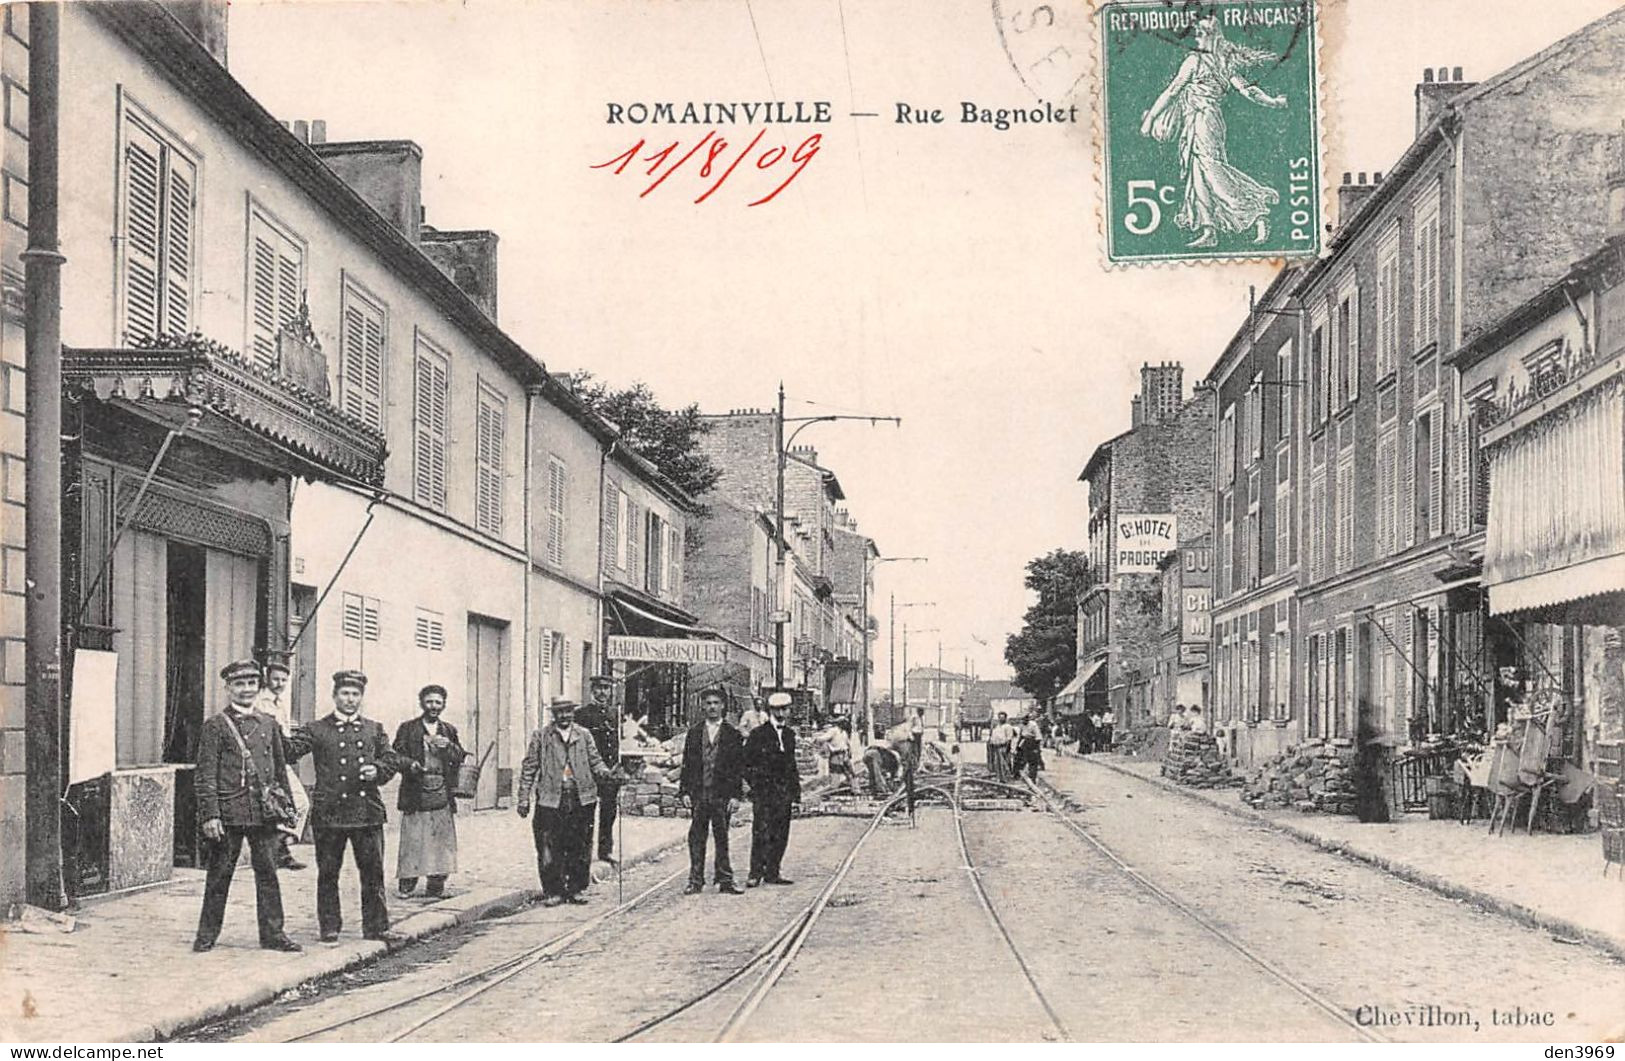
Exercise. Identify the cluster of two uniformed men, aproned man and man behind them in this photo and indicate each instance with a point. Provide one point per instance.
(248, 794)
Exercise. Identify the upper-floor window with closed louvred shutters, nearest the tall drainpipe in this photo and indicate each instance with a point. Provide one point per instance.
(158, 204)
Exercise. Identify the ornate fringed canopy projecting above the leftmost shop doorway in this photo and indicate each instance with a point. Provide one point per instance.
(243, 407)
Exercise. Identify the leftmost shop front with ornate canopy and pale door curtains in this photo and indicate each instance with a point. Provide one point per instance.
(176, 508)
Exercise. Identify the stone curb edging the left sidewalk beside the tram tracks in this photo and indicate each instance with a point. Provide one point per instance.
(428, 922)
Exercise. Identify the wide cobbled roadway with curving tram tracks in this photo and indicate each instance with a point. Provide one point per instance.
(1293, 943)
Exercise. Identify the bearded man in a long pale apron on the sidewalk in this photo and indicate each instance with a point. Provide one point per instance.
(430, 756)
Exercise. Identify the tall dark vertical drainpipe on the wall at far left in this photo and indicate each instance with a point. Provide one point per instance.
(43, 261)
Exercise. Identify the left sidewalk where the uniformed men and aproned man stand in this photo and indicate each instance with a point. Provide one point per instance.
(128, 972)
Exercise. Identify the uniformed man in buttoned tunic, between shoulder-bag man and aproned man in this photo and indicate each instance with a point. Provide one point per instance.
(353, 758)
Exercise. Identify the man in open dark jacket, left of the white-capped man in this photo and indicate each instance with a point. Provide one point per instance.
(713, 764)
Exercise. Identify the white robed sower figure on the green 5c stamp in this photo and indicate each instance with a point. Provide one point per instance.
(1218, 196)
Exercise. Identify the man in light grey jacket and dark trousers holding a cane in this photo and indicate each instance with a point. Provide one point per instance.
(563, 769)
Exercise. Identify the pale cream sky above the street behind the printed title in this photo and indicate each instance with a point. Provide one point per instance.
(950, 275)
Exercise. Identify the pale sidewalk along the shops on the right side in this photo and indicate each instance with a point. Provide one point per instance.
(1551, 881)
